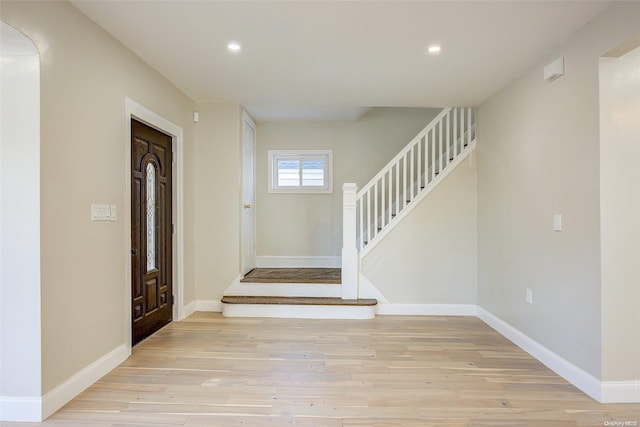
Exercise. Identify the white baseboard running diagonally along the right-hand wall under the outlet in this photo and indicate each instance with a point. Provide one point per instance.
(567, 370)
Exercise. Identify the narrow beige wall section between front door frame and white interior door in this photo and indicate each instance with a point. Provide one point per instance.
(217, 198)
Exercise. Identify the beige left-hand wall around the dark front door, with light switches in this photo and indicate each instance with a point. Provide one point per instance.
(85, 77)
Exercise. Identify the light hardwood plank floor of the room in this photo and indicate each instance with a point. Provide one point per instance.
(388, 371)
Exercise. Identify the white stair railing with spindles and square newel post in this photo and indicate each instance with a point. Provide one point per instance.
(372, 212)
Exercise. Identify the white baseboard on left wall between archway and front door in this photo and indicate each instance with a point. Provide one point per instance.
(75, 385)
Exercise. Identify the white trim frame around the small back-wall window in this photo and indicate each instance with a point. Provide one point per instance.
(275, 155)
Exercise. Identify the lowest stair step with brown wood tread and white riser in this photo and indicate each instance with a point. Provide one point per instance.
(298, 307)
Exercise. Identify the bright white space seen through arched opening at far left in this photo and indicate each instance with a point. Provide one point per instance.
(20, 308)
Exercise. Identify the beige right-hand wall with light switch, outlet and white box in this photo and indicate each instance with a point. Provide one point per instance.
(538, 155)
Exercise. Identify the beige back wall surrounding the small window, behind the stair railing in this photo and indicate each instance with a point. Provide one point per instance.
(311, 225)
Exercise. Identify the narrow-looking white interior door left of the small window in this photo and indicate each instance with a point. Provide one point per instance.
(248, 194)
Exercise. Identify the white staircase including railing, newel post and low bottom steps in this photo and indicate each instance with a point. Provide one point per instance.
(368, 215)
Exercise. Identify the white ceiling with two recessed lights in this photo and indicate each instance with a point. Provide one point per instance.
(334, 59)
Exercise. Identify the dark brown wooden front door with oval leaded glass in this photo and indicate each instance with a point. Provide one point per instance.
(151, 240)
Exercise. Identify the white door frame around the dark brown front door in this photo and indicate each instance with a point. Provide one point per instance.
(133, 110)
